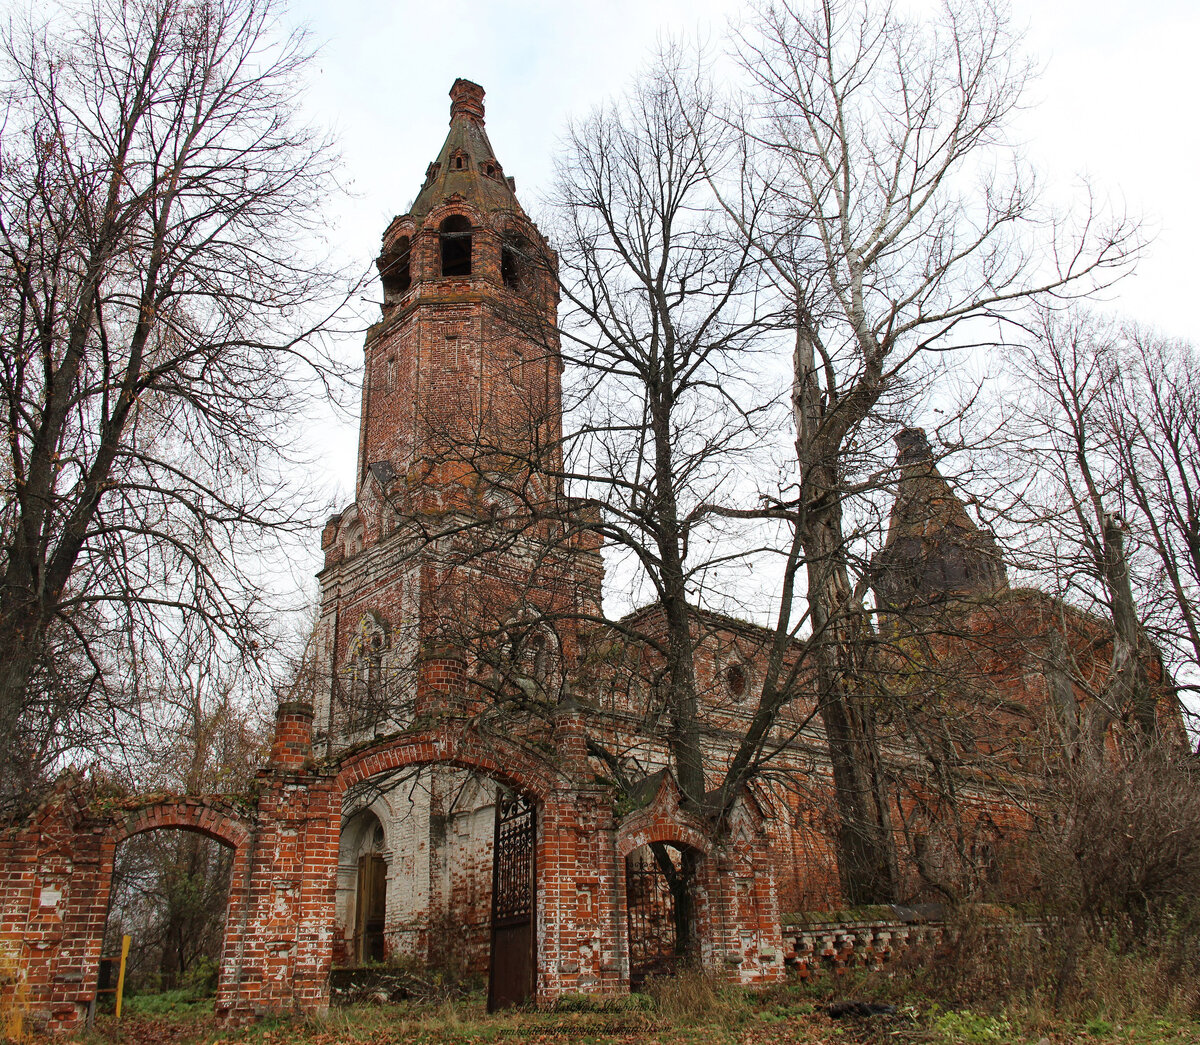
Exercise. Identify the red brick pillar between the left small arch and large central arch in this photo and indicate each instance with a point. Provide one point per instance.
(280, 932)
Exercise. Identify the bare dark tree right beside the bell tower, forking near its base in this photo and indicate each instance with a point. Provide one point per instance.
(671, 415)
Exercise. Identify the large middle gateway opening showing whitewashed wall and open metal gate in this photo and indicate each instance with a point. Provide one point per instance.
(439, 862)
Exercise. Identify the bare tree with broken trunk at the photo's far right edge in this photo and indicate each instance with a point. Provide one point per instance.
(1112, 411)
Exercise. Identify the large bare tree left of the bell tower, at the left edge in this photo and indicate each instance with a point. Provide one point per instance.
(161, 295)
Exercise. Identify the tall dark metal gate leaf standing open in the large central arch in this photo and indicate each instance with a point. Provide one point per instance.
(514, 873)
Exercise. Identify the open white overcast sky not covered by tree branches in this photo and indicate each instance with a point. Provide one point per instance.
(1117, 103)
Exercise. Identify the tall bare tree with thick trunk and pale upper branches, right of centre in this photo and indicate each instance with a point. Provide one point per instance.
(904, 226)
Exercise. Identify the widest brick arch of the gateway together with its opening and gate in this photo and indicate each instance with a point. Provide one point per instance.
(401, 906)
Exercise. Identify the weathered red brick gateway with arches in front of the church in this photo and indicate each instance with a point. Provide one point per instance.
(280, 930)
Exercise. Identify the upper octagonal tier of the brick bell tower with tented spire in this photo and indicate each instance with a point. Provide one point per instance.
(464, 369)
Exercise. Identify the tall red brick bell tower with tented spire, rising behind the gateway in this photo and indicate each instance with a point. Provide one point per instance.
(460, 537)
